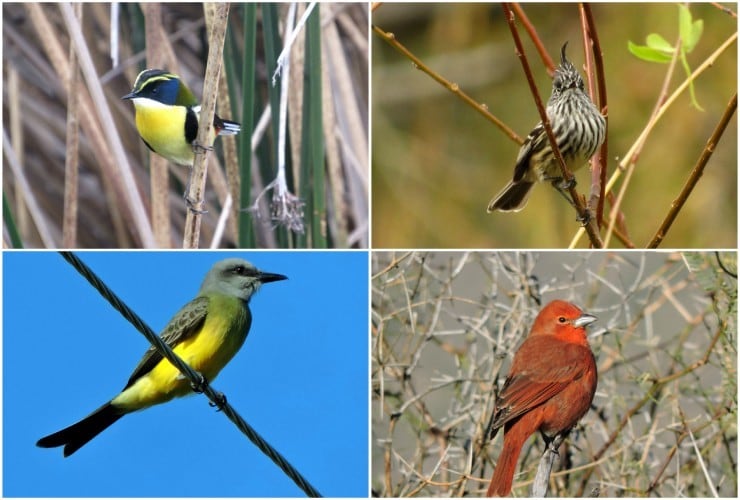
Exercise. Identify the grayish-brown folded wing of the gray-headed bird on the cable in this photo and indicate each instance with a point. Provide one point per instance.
(184, 324)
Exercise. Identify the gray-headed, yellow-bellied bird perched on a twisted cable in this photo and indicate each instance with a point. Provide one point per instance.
(206, 333)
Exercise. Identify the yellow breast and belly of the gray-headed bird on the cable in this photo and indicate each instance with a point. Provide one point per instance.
(207, 352)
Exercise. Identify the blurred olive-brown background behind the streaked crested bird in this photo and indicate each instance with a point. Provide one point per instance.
(437, 162)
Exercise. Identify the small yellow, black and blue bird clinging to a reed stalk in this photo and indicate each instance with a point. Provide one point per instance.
(167, 116)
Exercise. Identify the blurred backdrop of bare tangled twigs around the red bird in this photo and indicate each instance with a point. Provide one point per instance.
(446, 326)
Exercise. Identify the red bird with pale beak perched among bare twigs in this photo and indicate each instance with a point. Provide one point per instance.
(550, 386)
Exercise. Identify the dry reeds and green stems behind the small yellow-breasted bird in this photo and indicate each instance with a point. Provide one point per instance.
(327, 171)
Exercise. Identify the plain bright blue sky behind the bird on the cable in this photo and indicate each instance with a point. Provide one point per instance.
(300, 380)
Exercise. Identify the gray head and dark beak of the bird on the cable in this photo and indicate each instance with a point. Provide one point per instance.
(237, 278)
